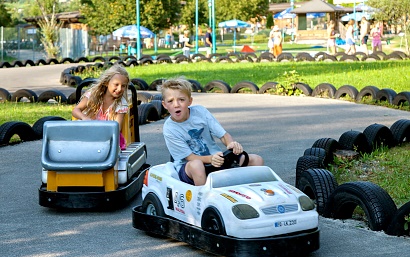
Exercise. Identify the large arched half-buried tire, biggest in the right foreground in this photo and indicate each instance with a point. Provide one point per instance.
(374, 200)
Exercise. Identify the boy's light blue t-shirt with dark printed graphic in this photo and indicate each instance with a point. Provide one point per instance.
(195, 135)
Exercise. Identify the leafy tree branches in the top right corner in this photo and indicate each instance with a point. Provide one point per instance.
(395, 12)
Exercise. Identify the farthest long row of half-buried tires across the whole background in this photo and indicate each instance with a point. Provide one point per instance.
(131, 61)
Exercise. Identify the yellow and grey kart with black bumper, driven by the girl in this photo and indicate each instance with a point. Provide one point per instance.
(83, 166)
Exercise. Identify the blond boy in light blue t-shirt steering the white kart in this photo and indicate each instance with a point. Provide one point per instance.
(189, 133)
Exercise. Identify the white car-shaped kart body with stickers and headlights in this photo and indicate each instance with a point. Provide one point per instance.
(276, 202)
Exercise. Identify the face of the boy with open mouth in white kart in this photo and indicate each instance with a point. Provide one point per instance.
(177, 102)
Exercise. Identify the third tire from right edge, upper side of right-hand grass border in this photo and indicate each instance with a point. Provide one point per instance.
(354, 141)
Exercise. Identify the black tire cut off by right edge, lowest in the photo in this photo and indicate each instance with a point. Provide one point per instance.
(396, 226)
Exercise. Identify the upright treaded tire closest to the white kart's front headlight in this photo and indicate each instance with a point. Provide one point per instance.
(318, 184)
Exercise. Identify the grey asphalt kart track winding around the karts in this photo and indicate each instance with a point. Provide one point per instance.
(278, 128)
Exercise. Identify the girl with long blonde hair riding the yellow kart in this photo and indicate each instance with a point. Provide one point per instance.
(106, 99)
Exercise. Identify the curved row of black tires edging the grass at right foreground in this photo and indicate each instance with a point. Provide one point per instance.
(340, 201)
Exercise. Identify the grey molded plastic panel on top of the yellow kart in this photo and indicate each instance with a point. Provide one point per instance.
(80, 145)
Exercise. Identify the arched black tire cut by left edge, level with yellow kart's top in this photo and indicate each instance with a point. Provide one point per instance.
(11, 128)
